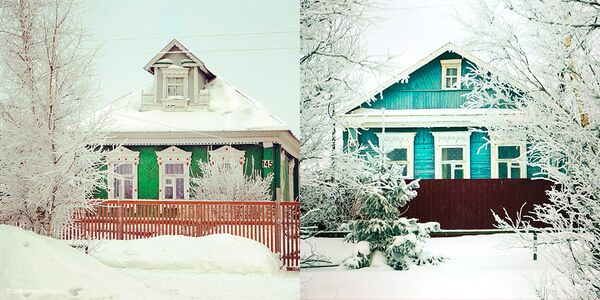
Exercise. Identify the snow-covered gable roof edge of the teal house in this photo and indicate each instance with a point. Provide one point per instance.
(404, 75)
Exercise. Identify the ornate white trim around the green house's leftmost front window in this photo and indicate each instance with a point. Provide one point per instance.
(121, 155)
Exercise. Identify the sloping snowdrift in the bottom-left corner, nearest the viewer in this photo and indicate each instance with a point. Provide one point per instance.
(38, 267)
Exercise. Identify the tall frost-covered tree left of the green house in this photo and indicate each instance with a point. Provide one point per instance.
(50, 139)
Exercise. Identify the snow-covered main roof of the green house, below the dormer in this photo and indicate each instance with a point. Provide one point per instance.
(231, 117)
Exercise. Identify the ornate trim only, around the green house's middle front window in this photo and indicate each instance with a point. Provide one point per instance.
(173, 155)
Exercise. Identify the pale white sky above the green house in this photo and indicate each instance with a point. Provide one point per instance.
(129, 33)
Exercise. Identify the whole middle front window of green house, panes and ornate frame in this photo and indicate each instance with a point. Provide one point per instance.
(174, 173)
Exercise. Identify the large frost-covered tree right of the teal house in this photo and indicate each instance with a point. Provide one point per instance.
(552, 48)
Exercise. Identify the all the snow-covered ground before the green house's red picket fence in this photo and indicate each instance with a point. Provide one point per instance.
(167, 267)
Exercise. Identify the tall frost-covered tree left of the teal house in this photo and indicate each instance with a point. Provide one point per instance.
(332, 65)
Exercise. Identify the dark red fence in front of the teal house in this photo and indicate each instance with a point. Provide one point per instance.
(468, 203)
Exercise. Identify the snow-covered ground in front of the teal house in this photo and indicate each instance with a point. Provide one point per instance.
(477, 267)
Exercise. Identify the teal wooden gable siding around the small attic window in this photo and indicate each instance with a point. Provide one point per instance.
(423, 89)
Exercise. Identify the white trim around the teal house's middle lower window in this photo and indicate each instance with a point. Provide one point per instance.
(452, 139)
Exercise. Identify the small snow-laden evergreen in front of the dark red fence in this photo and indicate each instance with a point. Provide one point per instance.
(381, 231)
